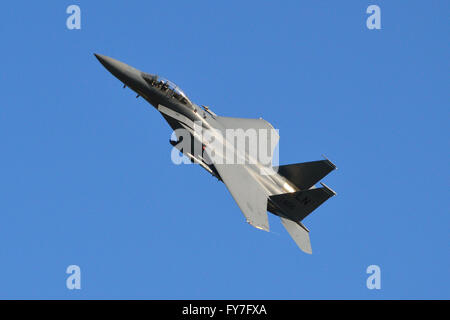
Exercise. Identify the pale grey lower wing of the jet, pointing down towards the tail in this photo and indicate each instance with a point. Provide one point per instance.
(247, 192)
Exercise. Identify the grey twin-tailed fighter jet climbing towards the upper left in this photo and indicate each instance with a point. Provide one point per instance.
(203, 137)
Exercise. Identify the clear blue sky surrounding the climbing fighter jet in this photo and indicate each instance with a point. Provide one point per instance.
(85, 169)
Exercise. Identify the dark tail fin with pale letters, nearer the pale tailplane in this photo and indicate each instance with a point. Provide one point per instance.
(297, 205)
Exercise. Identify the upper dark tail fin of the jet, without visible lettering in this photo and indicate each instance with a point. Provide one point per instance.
(305, 175)
